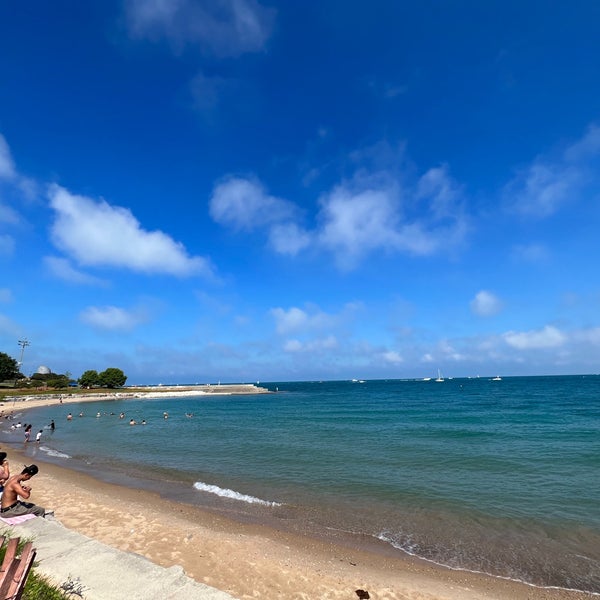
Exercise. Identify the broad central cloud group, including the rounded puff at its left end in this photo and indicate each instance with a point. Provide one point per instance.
(373, 211)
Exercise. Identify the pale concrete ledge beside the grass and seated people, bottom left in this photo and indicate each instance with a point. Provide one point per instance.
(104, 572)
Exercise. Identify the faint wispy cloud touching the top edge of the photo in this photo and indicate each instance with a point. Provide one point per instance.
(223, 28)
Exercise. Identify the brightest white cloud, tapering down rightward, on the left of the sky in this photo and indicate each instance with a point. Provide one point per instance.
(98, 234)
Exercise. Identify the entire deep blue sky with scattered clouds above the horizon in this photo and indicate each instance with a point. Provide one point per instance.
(234, 190)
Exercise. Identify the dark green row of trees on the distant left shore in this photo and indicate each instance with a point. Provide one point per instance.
(109, 378)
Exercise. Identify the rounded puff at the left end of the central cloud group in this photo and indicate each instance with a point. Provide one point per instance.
(243, 204)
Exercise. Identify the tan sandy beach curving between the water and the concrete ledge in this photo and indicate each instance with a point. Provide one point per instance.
(249, 561)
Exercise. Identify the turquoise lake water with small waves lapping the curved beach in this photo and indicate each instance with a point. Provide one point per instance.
(495, 476)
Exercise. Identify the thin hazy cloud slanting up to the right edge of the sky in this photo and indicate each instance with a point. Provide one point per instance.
(544, 187)
